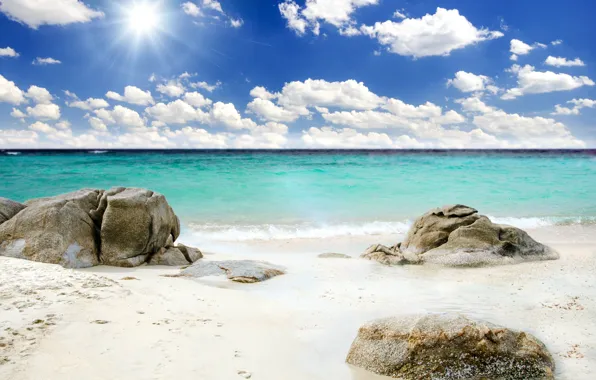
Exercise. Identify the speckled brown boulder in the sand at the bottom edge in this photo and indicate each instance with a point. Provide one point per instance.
(448, 346)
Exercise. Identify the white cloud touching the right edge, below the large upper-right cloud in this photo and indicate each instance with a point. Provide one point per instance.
(538, 82)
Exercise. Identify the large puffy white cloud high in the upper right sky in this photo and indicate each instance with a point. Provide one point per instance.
(437, 34)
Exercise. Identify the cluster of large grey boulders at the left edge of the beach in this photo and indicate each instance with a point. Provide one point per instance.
(123, 227)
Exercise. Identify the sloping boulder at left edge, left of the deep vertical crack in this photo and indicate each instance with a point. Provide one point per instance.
(56, 230)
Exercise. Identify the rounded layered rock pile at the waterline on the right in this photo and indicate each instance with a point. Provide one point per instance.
(459, 236)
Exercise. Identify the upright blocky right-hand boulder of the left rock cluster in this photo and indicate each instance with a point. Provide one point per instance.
(136, 224)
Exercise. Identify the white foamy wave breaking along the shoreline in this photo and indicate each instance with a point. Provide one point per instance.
(267, 232)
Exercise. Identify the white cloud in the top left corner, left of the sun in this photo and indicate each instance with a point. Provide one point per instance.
(48, 12)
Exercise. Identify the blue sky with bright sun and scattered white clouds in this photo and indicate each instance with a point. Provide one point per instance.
(297, 74)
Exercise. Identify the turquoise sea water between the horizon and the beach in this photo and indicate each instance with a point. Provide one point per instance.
(322, 193)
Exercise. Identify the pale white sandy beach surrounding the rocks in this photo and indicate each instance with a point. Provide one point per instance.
(95, 324)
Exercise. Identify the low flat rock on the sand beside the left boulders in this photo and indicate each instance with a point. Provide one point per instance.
(247, 271)
